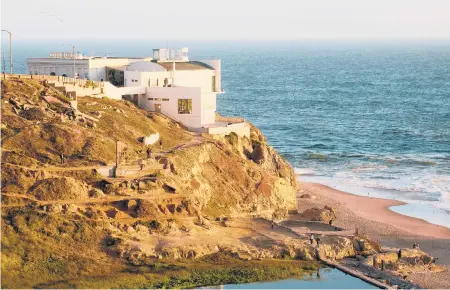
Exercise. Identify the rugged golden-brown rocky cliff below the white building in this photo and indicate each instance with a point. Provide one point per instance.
(67, 220)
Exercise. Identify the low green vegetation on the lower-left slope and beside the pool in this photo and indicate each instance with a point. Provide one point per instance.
(43, 250)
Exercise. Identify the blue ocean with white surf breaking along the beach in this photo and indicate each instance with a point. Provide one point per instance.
(367, 117)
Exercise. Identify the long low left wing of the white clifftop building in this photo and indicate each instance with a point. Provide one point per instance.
(86, 67)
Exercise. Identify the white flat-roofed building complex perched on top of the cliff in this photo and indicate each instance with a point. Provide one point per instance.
(168, 83)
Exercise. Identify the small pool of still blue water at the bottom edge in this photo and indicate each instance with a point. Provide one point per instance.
(328, 279)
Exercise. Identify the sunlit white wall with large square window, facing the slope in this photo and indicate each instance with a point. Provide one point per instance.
(170, 107)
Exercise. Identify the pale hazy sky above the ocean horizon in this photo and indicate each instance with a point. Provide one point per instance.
(226, 19)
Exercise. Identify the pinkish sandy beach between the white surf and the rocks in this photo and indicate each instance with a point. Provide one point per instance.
(372, 217)
